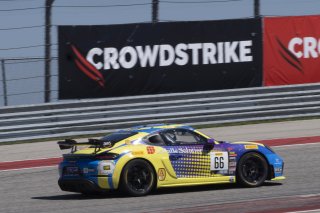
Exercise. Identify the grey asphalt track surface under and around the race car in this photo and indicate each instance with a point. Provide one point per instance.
(36, 190)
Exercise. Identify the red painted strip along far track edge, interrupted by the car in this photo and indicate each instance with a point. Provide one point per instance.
(54, 161)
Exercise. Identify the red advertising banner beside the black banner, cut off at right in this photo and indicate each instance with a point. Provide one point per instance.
(291, 50)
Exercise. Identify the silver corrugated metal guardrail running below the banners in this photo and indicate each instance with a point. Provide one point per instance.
(85, 117)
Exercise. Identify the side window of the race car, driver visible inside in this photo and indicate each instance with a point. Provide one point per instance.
(182, 137)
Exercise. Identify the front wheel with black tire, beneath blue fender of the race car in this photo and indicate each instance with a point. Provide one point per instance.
(252, 170)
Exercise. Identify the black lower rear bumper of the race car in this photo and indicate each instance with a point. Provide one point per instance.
(79, 185)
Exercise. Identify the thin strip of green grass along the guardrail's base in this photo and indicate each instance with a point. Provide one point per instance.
(196, 126)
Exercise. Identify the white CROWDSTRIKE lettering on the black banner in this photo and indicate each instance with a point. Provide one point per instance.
(167, 55)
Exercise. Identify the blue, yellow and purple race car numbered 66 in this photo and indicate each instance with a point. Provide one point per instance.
(143, 158)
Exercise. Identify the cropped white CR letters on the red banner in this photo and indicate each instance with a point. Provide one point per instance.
(310, 47)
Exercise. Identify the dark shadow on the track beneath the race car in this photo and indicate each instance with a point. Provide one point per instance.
(161, 191)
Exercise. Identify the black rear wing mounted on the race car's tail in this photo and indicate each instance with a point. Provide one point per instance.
(94, 143)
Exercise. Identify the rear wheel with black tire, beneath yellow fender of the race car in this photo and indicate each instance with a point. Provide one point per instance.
(137, 178)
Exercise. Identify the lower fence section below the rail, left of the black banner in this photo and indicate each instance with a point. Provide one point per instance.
(22, 81)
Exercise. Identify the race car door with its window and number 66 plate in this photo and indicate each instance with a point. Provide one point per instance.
(189, 156)
